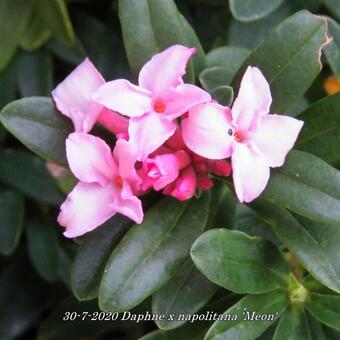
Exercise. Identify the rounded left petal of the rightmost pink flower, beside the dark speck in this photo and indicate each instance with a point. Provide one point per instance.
(205, 131)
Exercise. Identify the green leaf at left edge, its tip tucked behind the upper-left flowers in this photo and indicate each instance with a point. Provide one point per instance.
(36, 123)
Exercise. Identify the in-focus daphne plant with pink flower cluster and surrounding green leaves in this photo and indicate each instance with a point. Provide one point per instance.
(192, 198)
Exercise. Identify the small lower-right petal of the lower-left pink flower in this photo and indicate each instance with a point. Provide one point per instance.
(128, 205)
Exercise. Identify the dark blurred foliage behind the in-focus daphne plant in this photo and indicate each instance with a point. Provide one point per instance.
(41, 41)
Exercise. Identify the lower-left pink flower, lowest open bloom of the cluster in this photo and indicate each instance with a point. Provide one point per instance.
(105, 185)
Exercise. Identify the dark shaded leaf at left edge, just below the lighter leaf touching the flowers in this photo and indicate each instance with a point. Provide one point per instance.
(27, 173)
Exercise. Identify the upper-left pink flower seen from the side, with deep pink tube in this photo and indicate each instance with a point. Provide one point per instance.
(73, 98)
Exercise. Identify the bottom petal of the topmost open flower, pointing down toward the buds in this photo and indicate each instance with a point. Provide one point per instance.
(149, 132)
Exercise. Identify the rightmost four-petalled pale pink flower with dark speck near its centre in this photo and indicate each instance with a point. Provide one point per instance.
(255, 139)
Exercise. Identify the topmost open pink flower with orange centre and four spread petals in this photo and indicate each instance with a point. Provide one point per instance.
(160, 98)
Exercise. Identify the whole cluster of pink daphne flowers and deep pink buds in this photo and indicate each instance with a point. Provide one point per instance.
(170, 137)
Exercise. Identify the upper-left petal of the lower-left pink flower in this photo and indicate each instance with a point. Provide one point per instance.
(90, 158)
